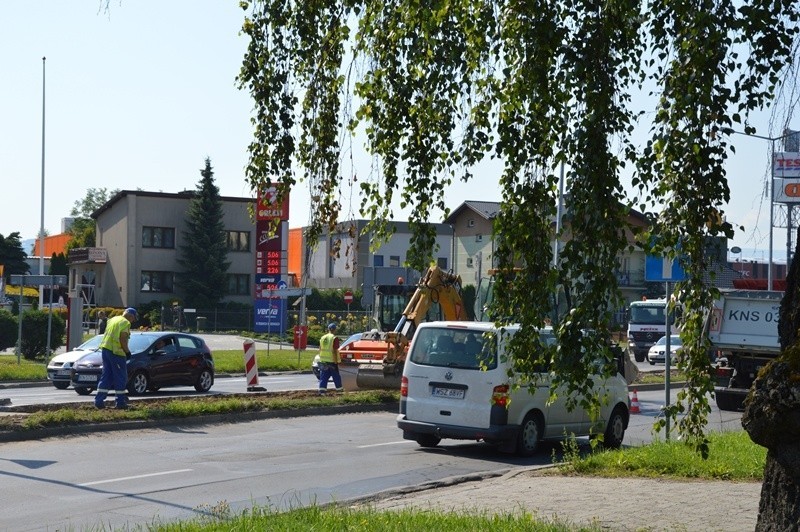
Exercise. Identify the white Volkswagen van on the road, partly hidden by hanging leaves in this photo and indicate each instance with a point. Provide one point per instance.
(454, 388)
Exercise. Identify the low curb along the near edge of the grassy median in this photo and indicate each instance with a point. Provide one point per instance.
(90, 428)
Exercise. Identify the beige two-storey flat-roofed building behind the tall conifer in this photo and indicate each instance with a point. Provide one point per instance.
(139, 235)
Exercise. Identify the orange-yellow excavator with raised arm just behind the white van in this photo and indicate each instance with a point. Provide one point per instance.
(379, 356)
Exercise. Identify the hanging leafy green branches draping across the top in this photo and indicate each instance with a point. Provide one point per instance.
(435, 87)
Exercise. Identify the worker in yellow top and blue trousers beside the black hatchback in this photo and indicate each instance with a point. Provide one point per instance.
(115, 355)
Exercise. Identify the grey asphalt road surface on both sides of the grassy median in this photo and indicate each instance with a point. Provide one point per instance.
(190, 470)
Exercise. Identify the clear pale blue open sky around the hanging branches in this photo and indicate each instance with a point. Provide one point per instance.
(138, 98)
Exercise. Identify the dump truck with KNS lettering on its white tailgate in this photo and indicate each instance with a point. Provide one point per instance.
(743, 328)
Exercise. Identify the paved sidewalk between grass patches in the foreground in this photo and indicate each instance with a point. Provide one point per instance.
(619, 504)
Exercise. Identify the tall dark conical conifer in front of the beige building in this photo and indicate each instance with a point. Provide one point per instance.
(203, 281)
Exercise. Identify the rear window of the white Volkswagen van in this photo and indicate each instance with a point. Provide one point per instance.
(453, 348)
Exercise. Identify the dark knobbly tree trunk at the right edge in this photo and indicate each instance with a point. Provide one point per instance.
(772, 417)
